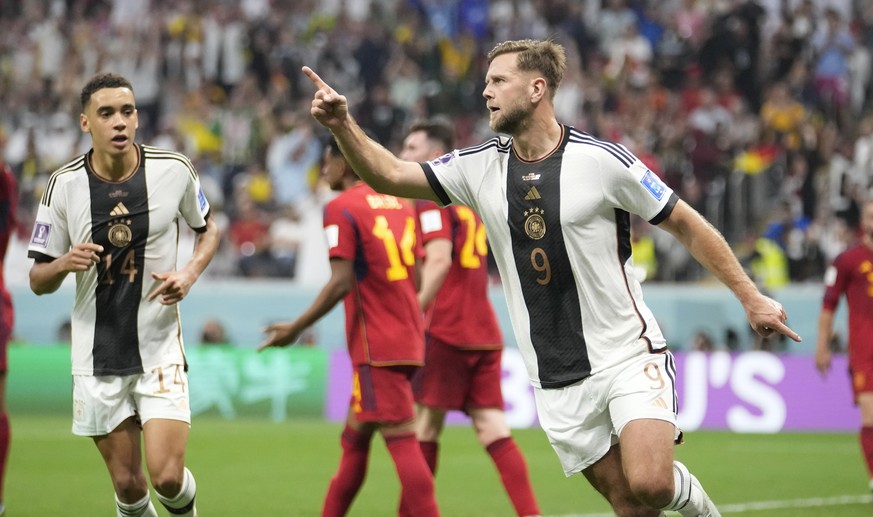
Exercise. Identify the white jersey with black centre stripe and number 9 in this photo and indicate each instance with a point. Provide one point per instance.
(560, 232)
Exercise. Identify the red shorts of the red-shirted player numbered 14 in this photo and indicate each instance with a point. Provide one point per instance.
(383, 393)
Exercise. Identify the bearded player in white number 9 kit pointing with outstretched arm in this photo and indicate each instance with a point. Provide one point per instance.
(556, 203)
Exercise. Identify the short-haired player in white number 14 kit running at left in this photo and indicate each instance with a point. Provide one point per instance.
(111, 216)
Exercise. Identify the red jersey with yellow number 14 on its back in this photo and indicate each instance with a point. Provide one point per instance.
(384, 324)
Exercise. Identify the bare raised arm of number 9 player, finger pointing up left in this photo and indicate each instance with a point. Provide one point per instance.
(373, 163)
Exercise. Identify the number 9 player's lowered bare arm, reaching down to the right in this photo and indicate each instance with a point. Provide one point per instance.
(708, 247)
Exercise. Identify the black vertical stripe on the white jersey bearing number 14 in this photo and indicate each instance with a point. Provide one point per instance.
(116, 336)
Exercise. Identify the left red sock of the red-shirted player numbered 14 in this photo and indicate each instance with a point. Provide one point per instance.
(350, 475)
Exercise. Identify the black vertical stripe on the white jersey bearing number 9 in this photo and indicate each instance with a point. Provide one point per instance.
(555, 313)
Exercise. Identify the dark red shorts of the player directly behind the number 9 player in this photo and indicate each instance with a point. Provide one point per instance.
(455, 378)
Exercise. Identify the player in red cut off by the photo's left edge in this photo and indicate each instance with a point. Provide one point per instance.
(8, 225)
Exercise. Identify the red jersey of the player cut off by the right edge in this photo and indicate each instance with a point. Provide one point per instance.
(852, 274)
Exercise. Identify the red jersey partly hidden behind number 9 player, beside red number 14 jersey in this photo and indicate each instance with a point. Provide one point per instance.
(461, 314)
